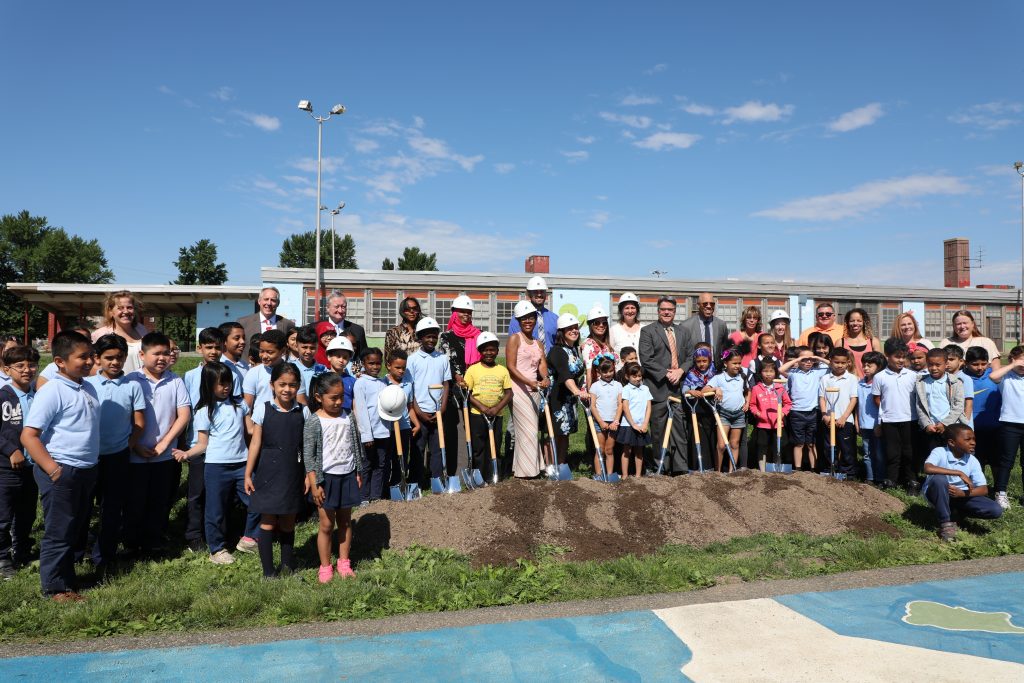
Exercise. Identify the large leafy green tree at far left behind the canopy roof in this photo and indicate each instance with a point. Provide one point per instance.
(34, 251)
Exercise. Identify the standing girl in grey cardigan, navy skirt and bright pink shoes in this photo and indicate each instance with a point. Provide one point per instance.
(335, 464)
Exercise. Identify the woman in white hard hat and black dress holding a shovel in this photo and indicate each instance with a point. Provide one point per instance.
(567, 376)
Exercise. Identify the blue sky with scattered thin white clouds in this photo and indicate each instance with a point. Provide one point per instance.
(797, 141)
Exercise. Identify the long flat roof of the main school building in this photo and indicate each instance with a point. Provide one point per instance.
(518, 281)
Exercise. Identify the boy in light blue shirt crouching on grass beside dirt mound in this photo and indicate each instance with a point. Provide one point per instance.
(956, 483)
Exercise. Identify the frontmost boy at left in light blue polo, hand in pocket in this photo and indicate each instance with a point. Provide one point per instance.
(62, 438)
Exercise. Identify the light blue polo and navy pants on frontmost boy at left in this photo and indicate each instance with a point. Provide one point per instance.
(67, 415)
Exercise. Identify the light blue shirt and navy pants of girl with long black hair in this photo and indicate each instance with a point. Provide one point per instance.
(226, 469)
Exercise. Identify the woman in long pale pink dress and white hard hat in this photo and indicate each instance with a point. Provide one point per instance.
(529, 369)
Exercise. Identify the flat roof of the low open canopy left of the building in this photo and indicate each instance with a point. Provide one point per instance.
(71, 300)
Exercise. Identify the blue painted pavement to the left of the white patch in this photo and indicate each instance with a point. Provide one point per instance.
(629, 647)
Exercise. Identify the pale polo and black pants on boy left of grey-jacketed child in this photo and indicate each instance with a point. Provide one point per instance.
(897, 392)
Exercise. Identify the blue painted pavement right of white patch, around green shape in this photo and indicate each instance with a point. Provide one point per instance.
(878, 614)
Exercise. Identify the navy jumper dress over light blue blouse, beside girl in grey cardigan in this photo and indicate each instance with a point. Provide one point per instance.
(278, 478)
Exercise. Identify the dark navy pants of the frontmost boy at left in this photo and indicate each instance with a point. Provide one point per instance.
(66, 506)
